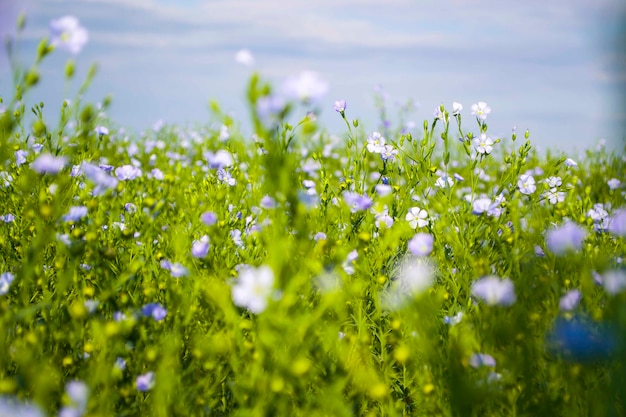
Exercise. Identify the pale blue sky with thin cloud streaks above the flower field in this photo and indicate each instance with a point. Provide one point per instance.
(549, 66)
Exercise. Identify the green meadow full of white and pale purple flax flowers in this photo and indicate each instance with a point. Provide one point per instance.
(403, 271)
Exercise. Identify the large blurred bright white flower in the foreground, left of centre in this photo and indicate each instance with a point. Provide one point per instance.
(253, 288)
